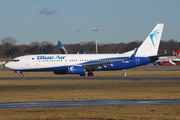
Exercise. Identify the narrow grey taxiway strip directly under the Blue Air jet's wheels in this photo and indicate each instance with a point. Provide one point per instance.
(91, 78)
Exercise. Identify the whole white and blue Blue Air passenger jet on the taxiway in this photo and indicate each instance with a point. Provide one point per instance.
(81, 63)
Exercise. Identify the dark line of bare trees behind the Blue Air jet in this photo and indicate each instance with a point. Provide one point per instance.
(9, 49)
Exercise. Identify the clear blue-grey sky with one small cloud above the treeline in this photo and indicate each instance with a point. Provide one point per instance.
(72, 21)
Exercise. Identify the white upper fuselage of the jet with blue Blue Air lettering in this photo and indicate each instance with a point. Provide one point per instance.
(41, 61)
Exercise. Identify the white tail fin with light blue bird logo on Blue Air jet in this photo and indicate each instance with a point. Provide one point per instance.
(151, 44)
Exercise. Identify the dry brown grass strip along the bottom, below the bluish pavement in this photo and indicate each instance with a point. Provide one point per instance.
(148, 112)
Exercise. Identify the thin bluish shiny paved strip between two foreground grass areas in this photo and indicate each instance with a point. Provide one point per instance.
(87, 103)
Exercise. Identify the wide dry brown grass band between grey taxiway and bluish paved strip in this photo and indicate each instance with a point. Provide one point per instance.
(57, 90)
